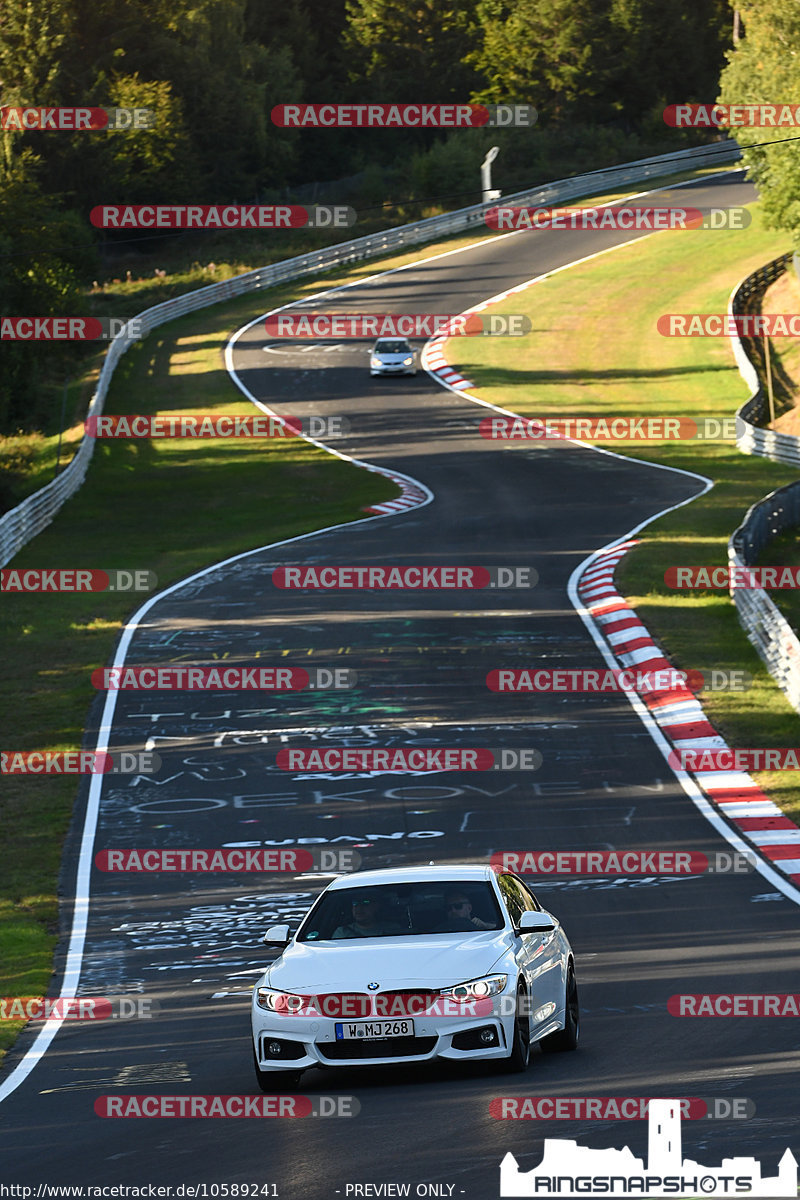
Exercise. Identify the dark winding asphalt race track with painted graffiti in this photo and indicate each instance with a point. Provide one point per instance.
(190, 944)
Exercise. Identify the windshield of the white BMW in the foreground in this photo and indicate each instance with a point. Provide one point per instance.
(402, 910)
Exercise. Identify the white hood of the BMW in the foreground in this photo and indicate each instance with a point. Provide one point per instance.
(436, 962)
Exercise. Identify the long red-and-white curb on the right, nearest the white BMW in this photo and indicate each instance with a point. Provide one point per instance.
(682, 721)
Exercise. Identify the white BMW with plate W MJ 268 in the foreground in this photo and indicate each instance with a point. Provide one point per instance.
(413, 964)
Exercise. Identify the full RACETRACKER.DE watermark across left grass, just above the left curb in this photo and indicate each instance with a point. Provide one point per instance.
(225, 427)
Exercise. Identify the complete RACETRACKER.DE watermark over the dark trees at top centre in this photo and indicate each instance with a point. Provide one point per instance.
(402, 117)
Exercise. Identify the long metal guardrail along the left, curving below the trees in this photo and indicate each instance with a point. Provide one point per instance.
(23, 523)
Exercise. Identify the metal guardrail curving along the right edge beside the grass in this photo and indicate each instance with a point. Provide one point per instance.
(767, 628)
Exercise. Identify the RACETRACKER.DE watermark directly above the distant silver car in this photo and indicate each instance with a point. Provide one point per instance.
(358, 326)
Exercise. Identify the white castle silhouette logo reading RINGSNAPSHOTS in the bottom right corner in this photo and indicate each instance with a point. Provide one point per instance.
(570, 1171)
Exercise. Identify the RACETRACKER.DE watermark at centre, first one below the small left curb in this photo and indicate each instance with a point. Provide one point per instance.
(404, 578)
